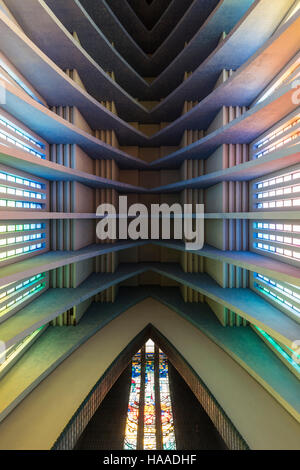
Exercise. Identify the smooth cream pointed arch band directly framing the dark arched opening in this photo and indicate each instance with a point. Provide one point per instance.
(247, 403)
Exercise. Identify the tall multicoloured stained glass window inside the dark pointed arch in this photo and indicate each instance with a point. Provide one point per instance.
(150, 381)
